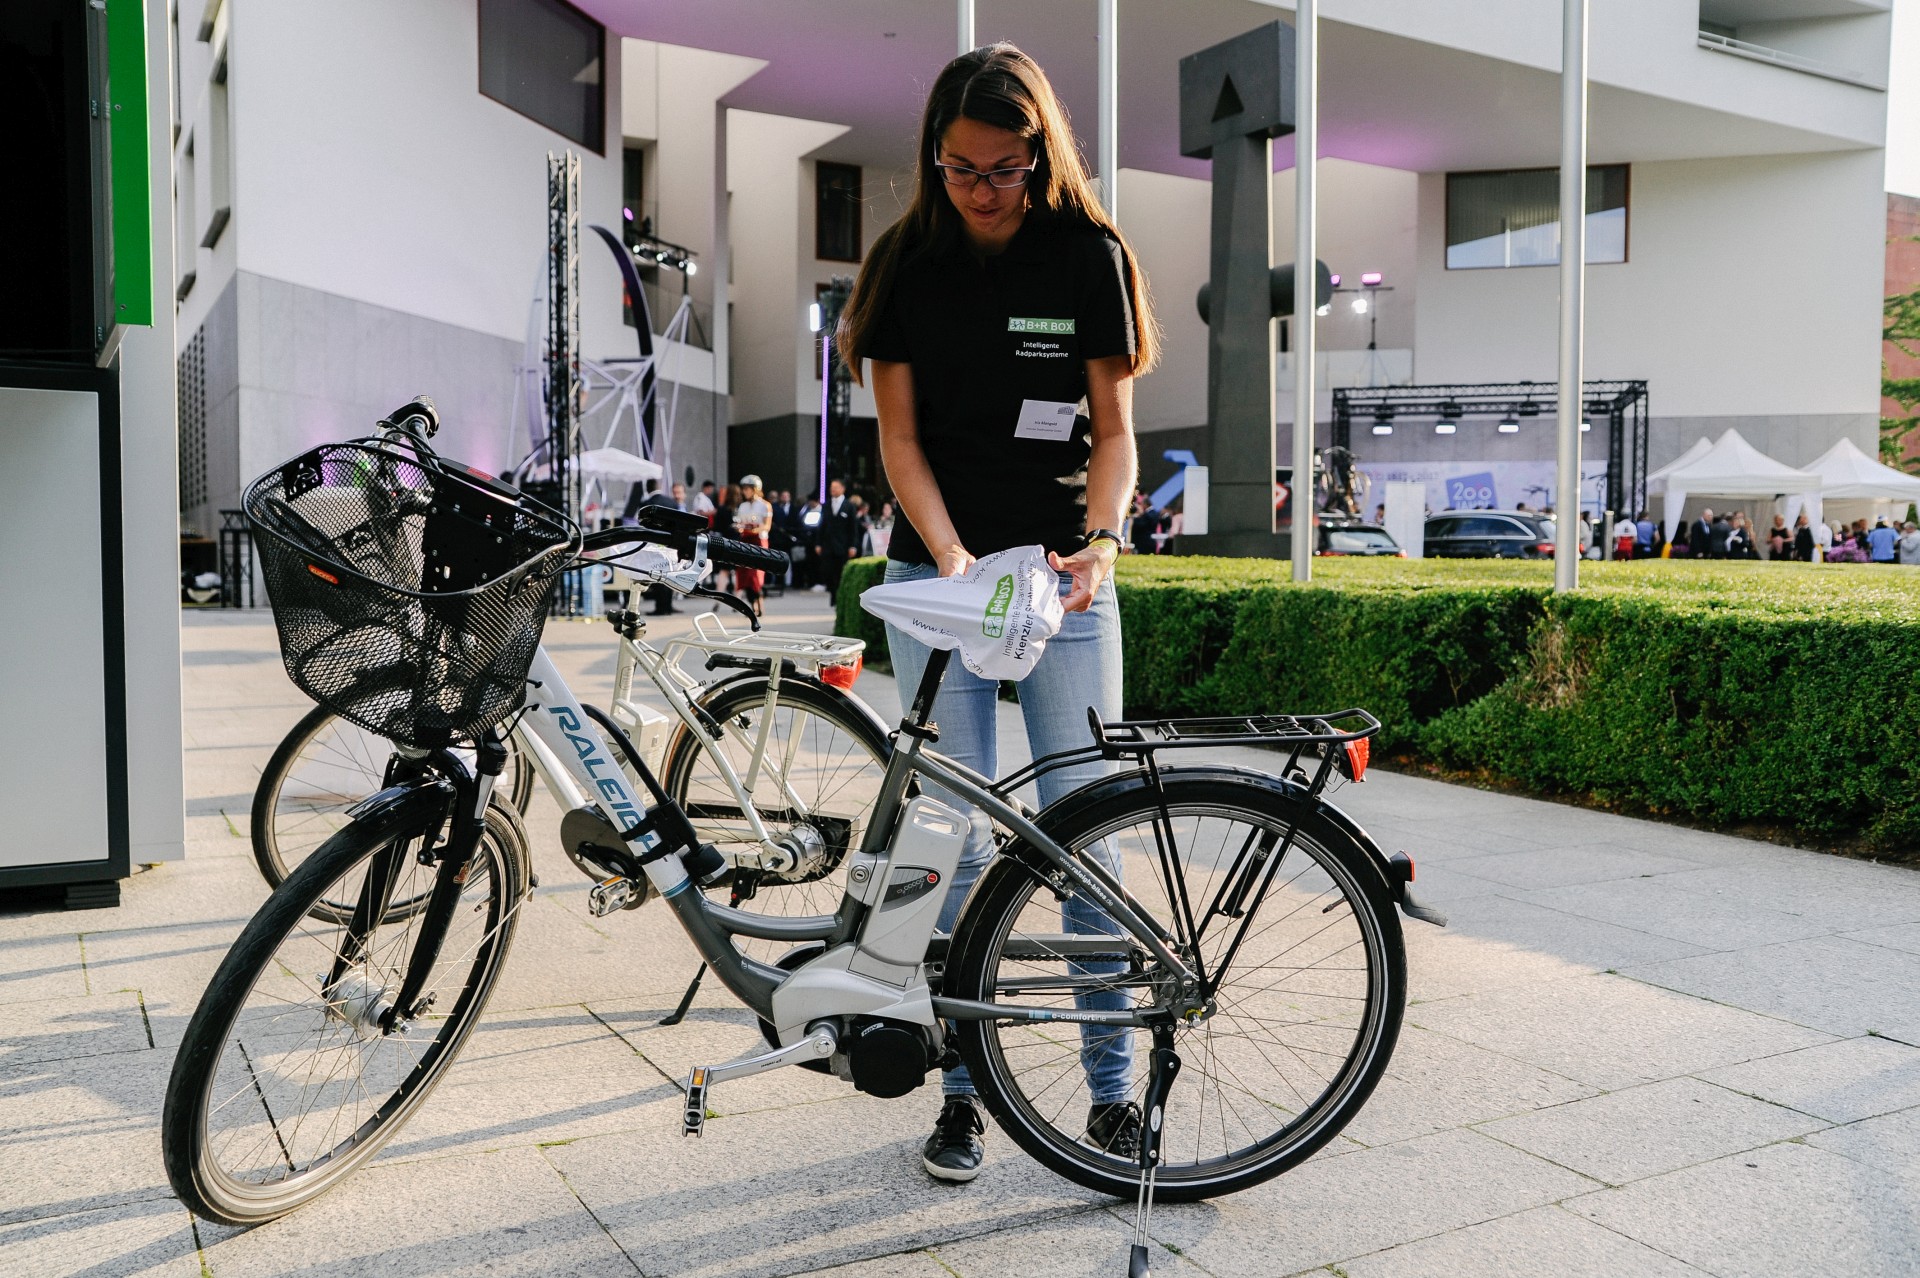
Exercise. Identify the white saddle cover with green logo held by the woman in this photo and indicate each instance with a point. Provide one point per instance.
(999, 613)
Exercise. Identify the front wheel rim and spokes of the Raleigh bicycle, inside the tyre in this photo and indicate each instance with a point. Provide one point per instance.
(302, 1085)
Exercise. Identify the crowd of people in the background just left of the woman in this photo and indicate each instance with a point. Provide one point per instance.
(817, 536)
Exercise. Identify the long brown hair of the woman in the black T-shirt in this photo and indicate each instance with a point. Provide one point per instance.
(1001, 87)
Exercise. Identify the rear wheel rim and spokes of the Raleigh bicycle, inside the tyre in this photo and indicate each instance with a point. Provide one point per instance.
(1278, 1066)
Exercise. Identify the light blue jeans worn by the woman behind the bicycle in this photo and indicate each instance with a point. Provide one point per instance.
(1080, 669)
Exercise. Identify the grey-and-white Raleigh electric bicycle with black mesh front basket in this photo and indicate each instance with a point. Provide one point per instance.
(1245, 955)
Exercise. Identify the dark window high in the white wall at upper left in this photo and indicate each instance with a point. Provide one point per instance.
(544, 60)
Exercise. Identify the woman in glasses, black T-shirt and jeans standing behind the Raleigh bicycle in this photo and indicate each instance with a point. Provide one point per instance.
(1003, 306)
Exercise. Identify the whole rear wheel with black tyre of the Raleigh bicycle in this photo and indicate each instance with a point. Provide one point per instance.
(1026, 1095)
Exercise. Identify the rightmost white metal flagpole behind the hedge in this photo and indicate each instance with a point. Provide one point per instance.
(1573, 279)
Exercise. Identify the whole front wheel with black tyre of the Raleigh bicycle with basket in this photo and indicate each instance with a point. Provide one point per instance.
(226, 1158)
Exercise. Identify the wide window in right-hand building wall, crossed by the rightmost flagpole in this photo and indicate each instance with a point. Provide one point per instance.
(1512, 218)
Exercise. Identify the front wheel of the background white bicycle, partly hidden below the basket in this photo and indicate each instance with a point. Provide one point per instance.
(350, 765)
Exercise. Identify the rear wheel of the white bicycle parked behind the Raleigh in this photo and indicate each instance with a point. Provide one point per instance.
(838, 780)
